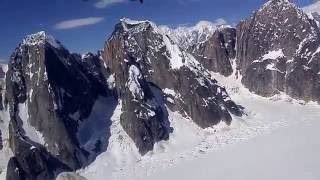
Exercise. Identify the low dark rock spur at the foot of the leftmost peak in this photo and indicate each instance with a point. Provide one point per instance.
(31, 161)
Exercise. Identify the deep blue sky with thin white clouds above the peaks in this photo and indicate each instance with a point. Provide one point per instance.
(60, 18)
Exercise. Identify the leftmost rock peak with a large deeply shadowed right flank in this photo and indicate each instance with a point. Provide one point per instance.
(51, 96)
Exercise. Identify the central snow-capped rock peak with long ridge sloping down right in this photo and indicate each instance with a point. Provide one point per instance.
(152, 71)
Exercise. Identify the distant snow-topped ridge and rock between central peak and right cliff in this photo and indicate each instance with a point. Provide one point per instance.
(211, 43)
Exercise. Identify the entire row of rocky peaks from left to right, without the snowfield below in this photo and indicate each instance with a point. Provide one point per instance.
(56, 106)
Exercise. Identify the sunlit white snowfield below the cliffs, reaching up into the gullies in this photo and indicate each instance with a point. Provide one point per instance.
(279, 135)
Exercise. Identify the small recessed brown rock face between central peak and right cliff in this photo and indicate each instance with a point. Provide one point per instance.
(216, 53)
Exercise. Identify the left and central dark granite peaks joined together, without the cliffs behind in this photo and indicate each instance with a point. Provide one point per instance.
(60, 104)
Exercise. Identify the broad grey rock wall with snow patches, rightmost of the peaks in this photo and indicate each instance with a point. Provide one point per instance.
(278, 51)
